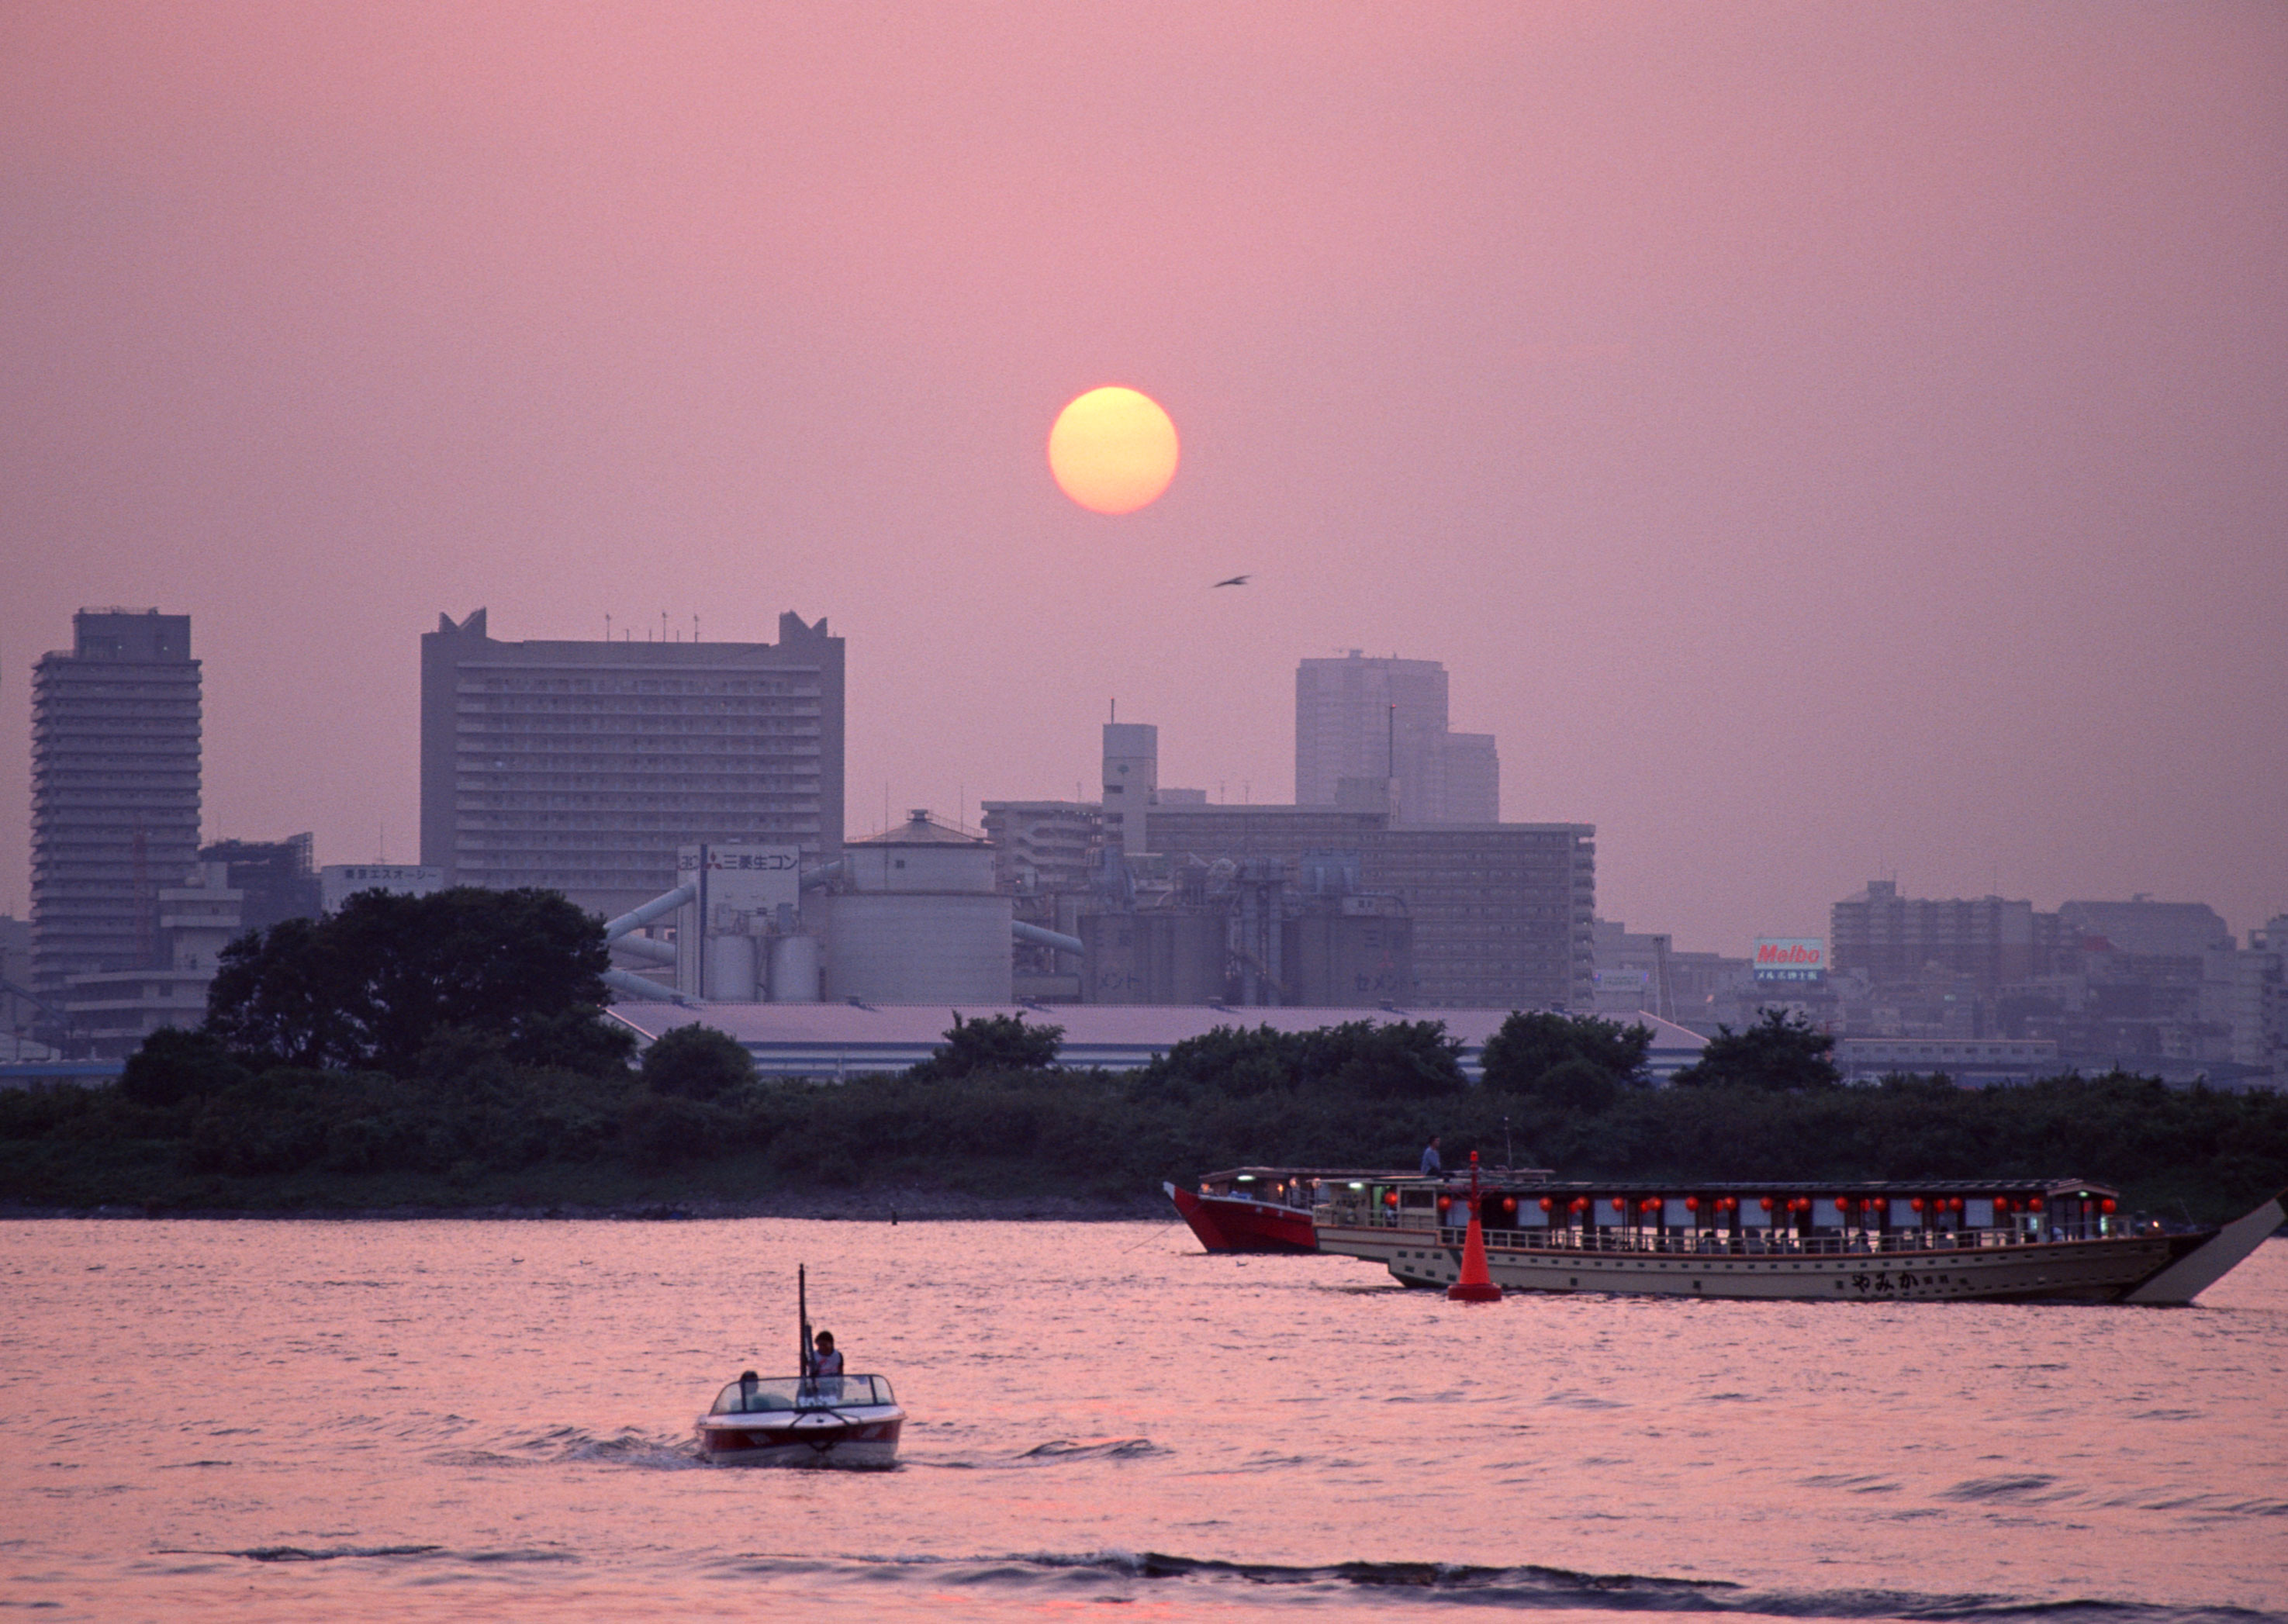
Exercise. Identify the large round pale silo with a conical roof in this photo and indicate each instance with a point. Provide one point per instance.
(916, 918)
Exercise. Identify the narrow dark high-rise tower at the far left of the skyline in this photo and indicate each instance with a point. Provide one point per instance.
(116, 793)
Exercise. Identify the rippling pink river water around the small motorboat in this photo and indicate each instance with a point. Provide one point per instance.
(493, 1422)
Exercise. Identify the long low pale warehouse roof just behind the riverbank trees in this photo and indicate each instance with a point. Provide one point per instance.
(852, 1040)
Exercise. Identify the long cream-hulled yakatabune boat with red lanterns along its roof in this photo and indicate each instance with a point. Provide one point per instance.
(1877, 1241)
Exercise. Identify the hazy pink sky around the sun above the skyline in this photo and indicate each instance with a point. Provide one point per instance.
(1822, 440)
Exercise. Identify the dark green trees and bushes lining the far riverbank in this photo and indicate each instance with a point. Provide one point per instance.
(466, 1040)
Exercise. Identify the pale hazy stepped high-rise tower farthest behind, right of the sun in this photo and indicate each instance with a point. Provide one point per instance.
(1381, 724)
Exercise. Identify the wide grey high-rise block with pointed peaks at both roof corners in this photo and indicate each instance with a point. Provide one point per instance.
(585, 767)
